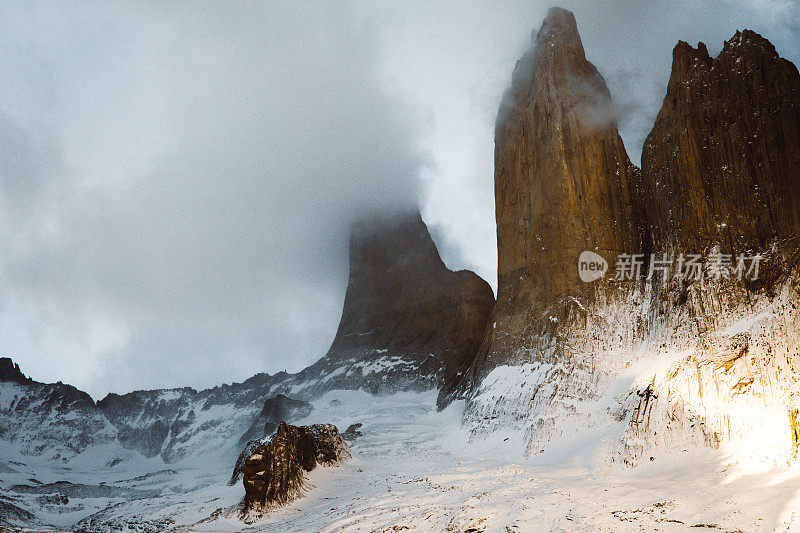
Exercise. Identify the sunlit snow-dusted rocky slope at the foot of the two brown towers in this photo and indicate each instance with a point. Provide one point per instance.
(728, 378)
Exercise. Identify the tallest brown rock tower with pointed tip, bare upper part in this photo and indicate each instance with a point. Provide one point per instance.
(563, 184)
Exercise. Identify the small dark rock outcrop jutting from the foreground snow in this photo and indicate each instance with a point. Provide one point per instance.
(274, 474)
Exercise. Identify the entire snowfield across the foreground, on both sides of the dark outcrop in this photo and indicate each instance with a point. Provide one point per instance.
(417, 469)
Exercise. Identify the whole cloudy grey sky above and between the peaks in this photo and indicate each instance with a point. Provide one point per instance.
(177, 179)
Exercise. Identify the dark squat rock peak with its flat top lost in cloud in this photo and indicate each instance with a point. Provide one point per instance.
(408, 321)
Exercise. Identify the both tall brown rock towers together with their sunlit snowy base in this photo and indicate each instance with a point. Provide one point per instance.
(720, 175)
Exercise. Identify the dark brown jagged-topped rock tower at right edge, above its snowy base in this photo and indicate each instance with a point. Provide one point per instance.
(722, 163)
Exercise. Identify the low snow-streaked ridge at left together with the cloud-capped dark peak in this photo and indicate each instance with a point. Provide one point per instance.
(408, 323)
